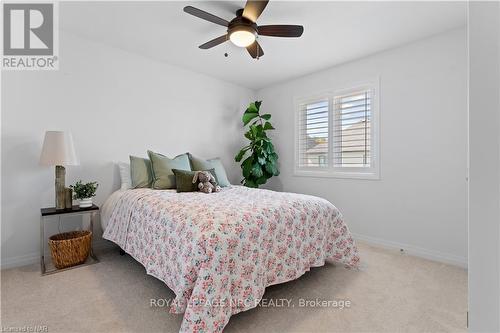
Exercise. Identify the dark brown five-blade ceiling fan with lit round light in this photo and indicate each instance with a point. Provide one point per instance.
(243, 30)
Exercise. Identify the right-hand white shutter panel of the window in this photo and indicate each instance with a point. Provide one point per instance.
(352, 129)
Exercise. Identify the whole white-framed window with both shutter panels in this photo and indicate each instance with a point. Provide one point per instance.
(337, 134)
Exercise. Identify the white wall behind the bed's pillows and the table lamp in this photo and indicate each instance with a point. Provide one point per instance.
(115, 103)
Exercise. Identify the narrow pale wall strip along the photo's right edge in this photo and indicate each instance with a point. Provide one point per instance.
(484, 185)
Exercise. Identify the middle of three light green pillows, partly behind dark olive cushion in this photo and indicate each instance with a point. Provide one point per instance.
(163, 177)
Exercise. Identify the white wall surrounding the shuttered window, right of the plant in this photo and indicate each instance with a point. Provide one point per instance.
(420, 202)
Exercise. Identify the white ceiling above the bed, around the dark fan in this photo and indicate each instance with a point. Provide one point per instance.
(334, 32)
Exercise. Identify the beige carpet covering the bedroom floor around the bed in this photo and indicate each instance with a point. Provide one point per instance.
(392, 293)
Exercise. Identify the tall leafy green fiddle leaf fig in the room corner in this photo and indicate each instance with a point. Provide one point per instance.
(260, 161)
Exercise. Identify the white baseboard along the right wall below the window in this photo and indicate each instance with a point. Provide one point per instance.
(414, 250)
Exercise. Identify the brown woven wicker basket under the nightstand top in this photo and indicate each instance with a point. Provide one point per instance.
(70, 248)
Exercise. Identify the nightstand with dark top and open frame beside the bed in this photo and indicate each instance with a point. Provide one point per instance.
(76, 210)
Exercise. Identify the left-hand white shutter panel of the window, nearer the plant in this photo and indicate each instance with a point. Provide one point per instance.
(313, 134)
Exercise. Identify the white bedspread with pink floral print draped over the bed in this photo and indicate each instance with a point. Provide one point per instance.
(218, 252)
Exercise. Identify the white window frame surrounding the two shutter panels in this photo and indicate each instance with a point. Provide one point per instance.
(330, 171)
